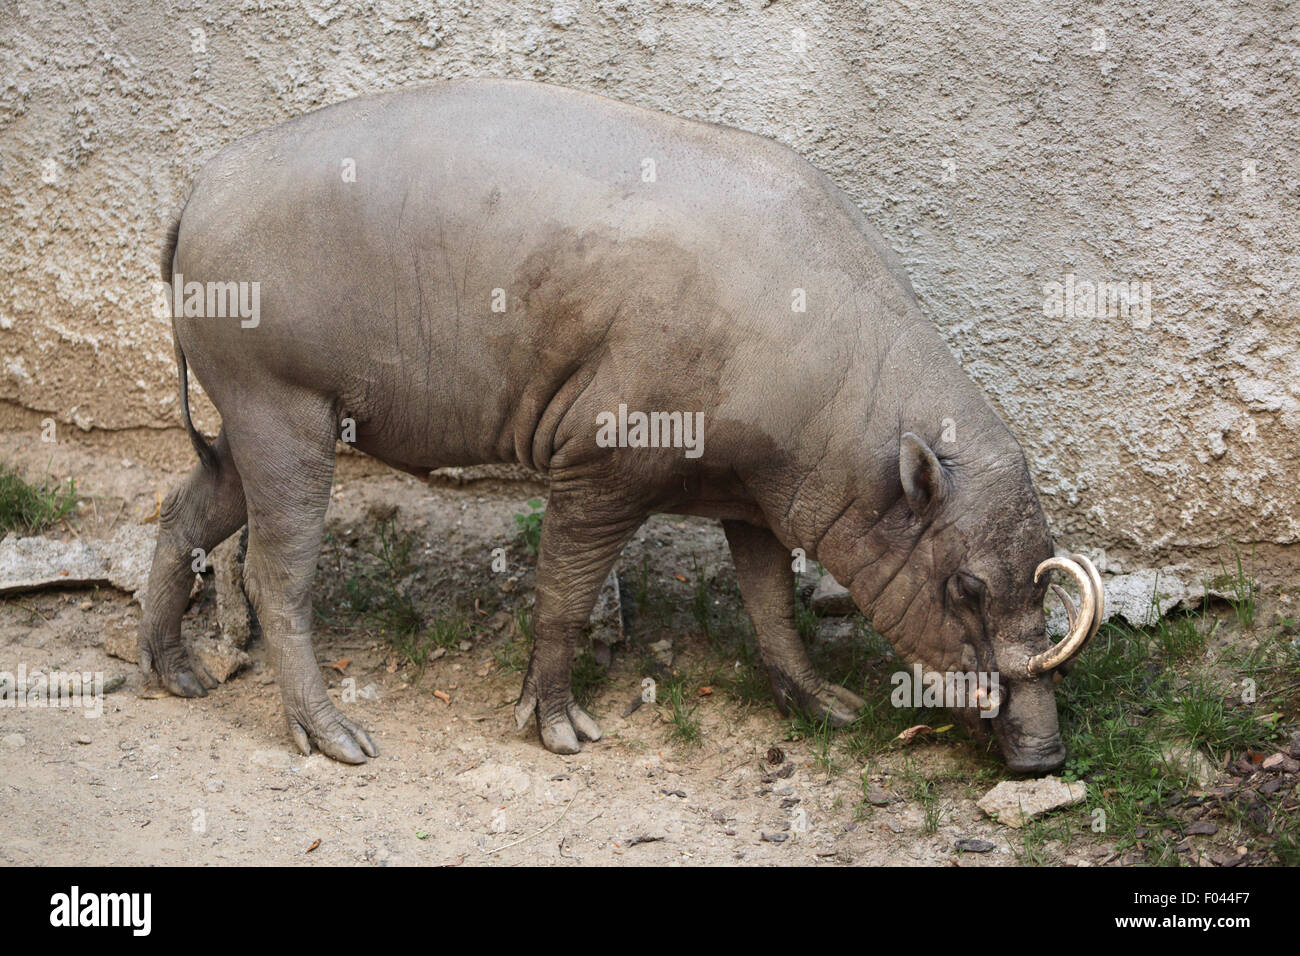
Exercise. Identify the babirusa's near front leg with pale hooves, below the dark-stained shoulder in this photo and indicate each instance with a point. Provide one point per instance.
(583, 534)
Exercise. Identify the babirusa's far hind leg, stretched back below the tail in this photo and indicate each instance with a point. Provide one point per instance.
(201, 513)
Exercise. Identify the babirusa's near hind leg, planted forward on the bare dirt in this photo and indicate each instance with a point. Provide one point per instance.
(288, 466)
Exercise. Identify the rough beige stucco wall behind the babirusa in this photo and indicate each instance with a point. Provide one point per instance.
(996, 150)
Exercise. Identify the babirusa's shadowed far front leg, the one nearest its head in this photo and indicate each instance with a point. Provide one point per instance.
(768, 586)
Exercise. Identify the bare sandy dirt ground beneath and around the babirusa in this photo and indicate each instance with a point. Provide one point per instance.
(216, 781)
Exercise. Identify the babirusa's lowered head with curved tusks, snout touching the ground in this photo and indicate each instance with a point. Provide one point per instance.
(967, 600)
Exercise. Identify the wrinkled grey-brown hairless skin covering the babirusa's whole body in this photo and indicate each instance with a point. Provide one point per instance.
(673, 295)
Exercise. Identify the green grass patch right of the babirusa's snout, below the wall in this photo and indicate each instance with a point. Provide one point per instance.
(1138, 694)
